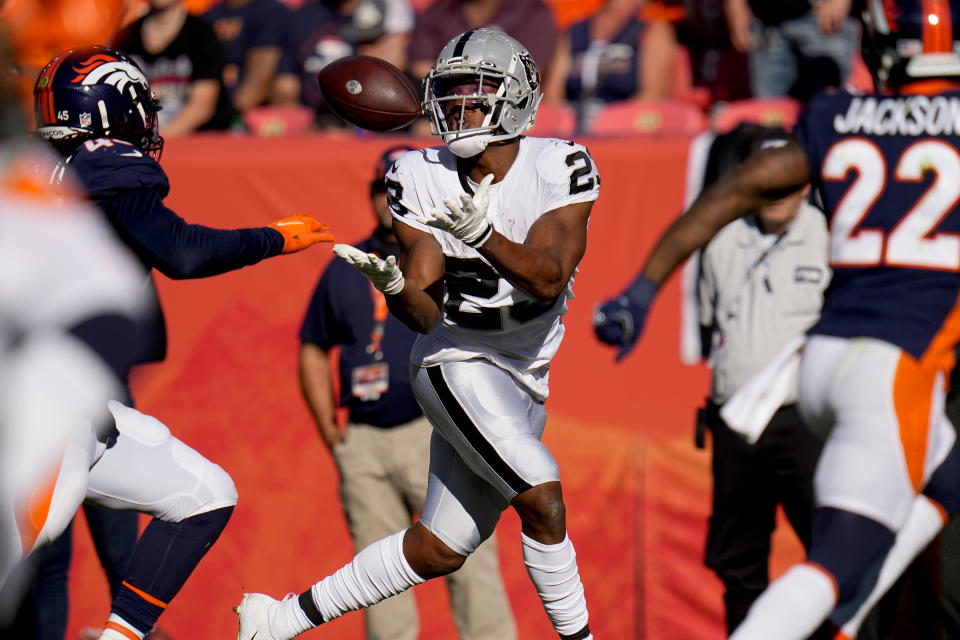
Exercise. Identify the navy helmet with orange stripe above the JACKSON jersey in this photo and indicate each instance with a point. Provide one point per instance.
(910, 40)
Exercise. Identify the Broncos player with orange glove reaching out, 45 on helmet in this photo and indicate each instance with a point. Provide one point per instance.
(96, 108)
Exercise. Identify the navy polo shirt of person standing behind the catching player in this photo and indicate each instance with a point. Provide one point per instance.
(341, 313)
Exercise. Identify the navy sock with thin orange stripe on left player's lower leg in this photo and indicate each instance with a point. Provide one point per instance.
(163, 559)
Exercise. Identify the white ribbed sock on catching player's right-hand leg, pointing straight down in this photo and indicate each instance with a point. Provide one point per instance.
(553, 570)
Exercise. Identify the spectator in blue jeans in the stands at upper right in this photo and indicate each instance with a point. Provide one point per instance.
(793, 43)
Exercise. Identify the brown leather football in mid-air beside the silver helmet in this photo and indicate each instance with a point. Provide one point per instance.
(369, 93)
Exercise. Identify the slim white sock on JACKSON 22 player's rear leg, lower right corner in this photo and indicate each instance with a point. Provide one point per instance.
(923, 523)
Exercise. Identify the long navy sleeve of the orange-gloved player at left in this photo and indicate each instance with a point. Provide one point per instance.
(129, 187)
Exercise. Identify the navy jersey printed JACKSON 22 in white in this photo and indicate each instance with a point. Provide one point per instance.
(888, 172)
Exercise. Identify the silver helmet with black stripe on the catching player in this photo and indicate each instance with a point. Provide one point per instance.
(489, 68)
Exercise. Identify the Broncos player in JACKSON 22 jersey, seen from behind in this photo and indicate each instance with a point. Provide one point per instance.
(872, 378)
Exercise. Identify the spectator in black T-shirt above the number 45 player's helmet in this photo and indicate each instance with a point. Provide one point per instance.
(183, 60)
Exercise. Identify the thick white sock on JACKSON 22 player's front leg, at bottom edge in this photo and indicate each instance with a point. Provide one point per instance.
(791, 608)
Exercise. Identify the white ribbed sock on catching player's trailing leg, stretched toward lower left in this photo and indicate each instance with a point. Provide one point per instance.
(376, 573)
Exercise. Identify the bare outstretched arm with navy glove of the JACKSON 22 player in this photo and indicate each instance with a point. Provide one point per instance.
(765, 177)
